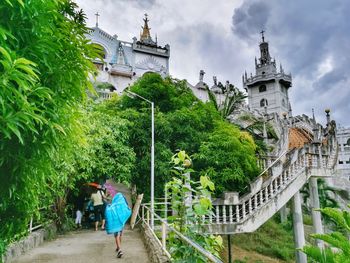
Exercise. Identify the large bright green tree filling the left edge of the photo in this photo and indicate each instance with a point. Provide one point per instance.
(44, 68)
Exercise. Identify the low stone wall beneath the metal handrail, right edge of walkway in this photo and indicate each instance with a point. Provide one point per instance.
(154, 249)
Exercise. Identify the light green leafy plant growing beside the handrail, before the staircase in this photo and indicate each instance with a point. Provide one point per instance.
(179, 190)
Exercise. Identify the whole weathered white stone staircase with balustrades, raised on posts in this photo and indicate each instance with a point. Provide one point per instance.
(272, 190)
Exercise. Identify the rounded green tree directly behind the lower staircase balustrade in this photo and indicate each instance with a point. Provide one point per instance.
(228, 157)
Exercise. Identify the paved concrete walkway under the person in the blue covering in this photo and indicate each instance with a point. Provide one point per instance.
(88, 246)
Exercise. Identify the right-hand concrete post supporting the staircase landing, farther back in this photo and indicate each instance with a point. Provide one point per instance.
(316, 215)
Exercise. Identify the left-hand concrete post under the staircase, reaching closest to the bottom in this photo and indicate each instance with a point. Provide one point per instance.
(298, 228)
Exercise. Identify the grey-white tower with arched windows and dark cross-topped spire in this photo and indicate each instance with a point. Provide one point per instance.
(268, 88)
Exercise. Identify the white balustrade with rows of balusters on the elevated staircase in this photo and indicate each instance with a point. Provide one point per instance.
(298, 162)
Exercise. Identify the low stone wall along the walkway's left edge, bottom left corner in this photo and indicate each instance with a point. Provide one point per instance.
(24, 245)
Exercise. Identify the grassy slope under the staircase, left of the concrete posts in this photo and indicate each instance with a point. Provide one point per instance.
(272, 240)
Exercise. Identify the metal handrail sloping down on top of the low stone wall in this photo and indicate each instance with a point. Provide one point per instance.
(166, 226)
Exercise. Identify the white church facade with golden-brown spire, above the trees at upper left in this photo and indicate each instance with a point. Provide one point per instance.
(124, 62)
